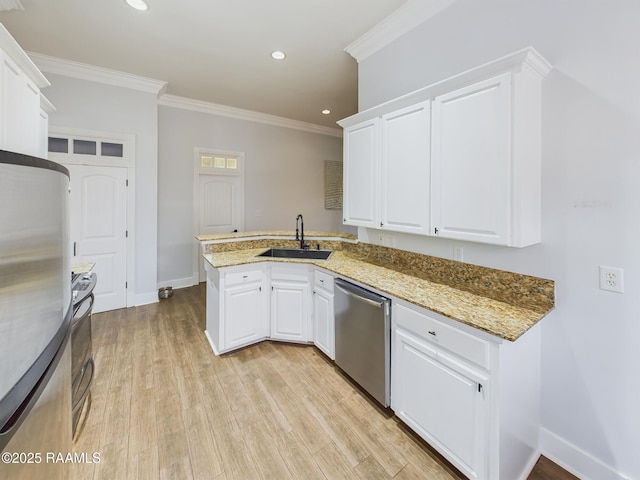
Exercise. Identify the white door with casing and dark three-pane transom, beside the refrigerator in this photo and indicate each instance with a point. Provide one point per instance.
(118, 214)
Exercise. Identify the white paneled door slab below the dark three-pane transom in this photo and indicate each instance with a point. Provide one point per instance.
(99, 229)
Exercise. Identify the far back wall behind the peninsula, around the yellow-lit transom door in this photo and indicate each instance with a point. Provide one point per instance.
(284, 176)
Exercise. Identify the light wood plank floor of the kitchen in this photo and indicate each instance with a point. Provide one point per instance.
(163, 406)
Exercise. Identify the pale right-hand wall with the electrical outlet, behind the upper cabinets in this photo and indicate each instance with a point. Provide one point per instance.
(591, 200)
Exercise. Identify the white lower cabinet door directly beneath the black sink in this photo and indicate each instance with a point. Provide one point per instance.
(290, 311)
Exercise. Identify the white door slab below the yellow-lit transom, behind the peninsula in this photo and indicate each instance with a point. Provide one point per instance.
(220, 206)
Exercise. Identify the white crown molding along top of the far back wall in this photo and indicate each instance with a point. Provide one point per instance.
(184, 103)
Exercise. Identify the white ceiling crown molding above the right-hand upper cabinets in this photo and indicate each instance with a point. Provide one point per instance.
(403, 20)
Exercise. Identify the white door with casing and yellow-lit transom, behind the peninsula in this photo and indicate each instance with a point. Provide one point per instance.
(218, 198)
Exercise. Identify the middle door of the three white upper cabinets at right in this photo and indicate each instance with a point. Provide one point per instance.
(406, 170)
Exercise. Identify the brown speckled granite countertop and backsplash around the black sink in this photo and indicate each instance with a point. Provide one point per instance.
(503, 304)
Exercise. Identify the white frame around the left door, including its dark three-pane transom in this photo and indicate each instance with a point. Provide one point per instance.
(128, 161)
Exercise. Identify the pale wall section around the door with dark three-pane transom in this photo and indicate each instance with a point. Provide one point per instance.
(95, 106)
